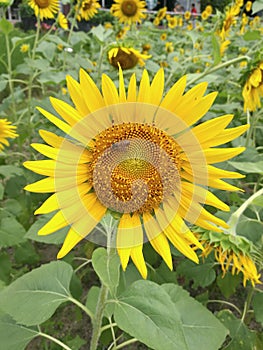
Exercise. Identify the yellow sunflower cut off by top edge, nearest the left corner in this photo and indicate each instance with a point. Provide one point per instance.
(44, 8)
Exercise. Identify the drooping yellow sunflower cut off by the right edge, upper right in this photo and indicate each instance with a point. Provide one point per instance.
(253, 89)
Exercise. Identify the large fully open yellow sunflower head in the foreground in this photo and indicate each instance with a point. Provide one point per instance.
(134, 154)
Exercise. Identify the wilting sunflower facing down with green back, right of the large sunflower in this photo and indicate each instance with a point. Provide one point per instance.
(233, 253)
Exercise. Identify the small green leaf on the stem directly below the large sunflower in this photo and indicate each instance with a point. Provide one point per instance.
(108, 269)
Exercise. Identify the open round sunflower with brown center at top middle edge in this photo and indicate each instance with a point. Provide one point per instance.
(129, 11)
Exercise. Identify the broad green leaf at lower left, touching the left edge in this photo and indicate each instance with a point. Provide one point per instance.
(34, 297)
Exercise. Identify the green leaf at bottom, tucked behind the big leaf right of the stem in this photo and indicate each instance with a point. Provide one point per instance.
(197, 321)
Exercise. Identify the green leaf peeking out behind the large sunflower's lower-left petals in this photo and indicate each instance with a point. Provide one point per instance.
(55, 238)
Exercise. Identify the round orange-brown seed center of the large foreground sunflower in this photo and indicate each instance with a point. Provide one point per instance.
(135, 167)
